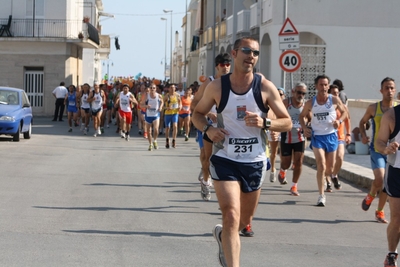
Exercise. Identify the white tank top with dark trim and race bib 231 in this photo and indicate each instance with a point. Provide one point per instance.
(243, 144)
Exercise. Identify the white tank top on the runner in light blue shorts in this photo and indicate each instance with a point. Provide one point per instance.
(323, 117)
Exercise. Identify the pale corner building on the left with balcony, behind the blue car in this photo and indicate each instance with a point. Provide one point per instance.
(47, 45)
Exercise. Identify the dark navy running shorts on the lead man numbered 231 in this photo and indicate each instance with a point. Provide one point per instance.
(249, 175)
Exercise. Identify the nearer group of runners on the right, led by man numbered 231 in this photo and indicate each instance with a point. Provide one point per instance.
(234, 113)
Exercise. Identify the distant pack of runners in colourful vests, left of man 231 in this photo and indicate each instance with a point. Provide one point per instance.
(155, 108)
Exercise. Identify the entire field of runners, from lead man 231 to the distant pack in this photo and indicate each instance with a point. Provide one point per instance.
(242, 120)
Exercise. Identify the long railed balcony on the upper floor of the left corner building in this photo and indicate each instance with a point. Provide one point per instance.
(83, 34)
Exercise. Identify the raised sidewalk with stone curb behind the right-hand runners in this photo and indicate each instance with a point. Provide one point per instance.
(355, 168)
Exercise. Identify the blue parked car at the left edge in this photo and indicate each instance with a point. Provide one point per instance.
(15, 113)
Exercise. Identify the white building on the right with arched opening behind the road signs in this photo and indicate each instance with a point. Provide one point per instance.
(351, 40)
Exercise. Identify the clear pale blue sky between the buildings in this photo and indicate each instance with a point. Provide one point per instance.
(141, 34)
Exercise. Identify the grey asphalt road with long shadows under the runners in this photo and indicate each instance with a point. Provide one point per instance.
(72, 200)
